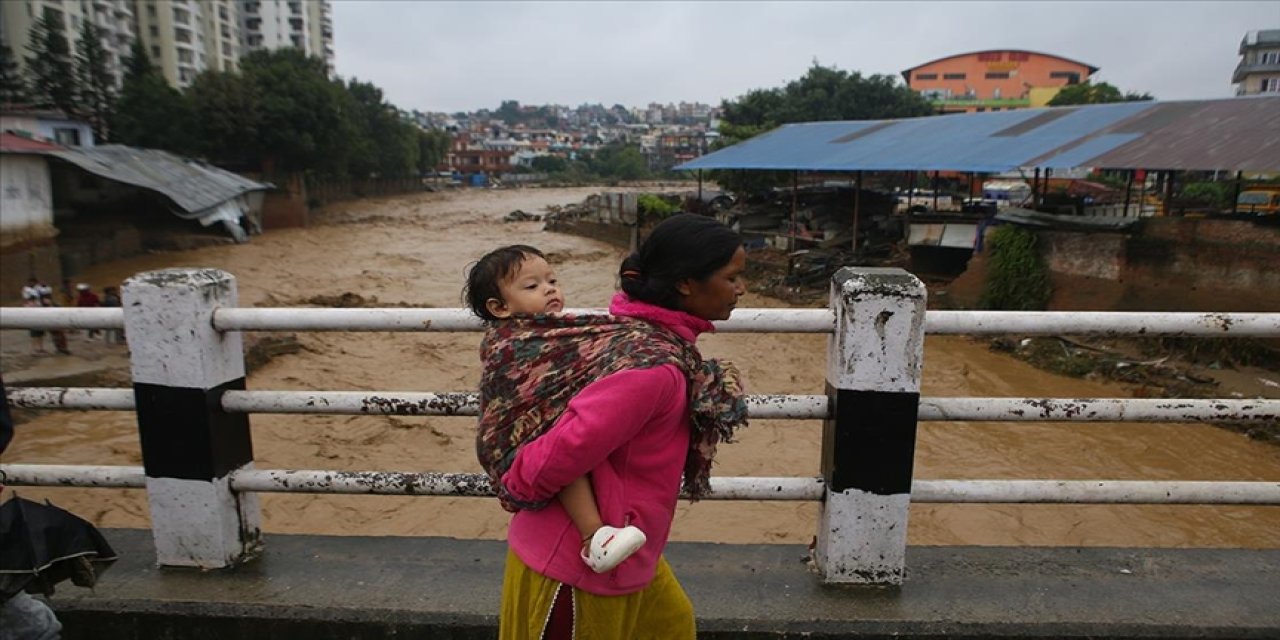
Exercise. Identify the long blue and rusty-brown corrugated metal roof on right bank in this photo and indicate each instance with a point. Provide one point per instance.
(1241, 134)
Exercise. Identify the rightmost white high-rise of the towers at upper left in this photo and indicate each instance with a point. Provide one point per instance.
(307, 25)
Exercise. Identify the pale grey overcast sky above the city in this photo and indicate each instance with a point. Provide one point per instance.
(461, 57)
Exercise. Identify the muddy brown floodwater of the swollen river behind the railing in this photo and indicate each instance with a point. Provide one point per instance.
(414, 250)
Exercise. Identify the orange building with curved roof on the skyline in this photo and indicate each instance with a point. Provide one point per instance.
(996, 80)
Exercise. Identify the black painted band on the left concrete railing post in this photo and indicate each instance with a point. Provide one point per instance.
(188, 436)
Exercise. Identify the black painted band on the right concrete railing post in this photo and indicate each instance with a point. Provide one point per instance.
(870, 445)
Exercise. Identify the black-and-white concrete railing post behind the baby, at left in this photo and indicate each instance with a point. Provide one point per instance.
(190, 446)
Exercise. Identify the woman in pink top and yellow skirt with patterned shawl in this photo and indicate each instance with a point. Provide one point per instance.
(641, 413)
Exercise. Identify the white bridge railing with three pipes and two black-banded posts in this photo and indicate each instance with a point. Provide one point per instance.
(193, 408)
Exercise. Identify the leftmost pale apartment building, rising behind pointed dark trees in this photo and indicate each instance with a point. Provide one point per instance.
(115, 19)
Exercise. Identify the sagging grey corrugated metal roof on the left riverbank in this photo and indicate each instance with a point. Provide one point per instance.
(191, 185)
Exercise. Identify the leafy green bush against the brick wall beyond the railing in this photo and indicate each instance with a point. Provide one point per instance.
(1017, 275)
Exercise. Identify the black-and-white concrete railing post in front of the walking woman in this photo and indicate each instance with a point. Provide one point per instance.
(874, 381)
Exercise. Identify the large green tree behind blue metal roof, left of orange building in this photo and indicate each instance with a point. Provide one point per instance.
(822, 94)
